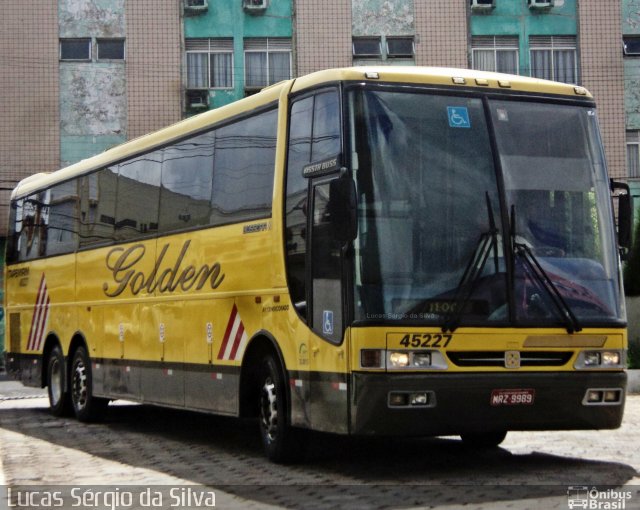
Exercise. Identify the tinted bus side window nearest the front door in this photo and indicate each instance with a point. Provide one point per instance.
(243, 169)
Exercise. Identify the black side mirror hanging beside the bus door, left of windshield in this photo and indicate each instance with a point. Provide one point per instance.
(343, 208)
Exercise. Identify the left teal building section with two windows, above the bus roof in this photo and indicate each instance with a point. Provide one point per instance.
(234, 49)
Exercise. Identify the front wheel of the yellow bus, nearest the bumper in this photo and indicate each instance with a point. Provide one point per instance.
(281, 442)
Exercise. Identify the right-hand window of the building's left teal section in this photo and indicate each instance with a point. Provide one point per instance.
(266, 61)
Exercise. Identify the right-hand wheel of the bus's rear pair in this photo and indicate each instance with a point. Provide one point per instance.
(85, 405)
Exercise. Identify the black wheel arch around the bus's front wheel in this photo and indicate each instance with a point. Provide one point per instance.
(261, 344)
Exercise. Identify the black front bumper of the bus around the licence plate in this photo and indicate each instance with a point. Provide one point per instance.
(462, 403)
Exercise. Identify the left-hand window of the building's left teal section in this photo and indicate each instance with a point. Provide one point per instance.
(209, 63)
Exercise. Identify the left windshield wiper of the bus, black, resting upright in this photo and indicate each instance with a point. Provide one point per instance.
(487, 243)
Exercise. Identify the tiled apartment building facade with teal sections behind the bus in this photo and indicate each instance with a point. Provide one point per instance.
(79, 76)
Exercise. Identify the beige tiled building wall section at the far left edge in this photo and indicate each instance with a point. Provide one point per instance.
(29, 99)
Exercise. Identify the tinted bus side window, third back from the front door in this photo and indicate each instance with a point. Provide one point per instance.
(138, 196)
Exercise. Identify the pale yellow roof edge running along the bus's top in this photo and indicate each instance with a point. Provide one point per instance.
(449, 77)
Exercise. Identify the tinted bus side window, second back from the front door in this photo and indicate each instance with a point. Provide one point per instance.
(187, 173)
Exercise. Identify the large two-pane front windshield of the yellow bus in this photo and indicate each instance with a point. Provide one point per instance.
(454, 230)
